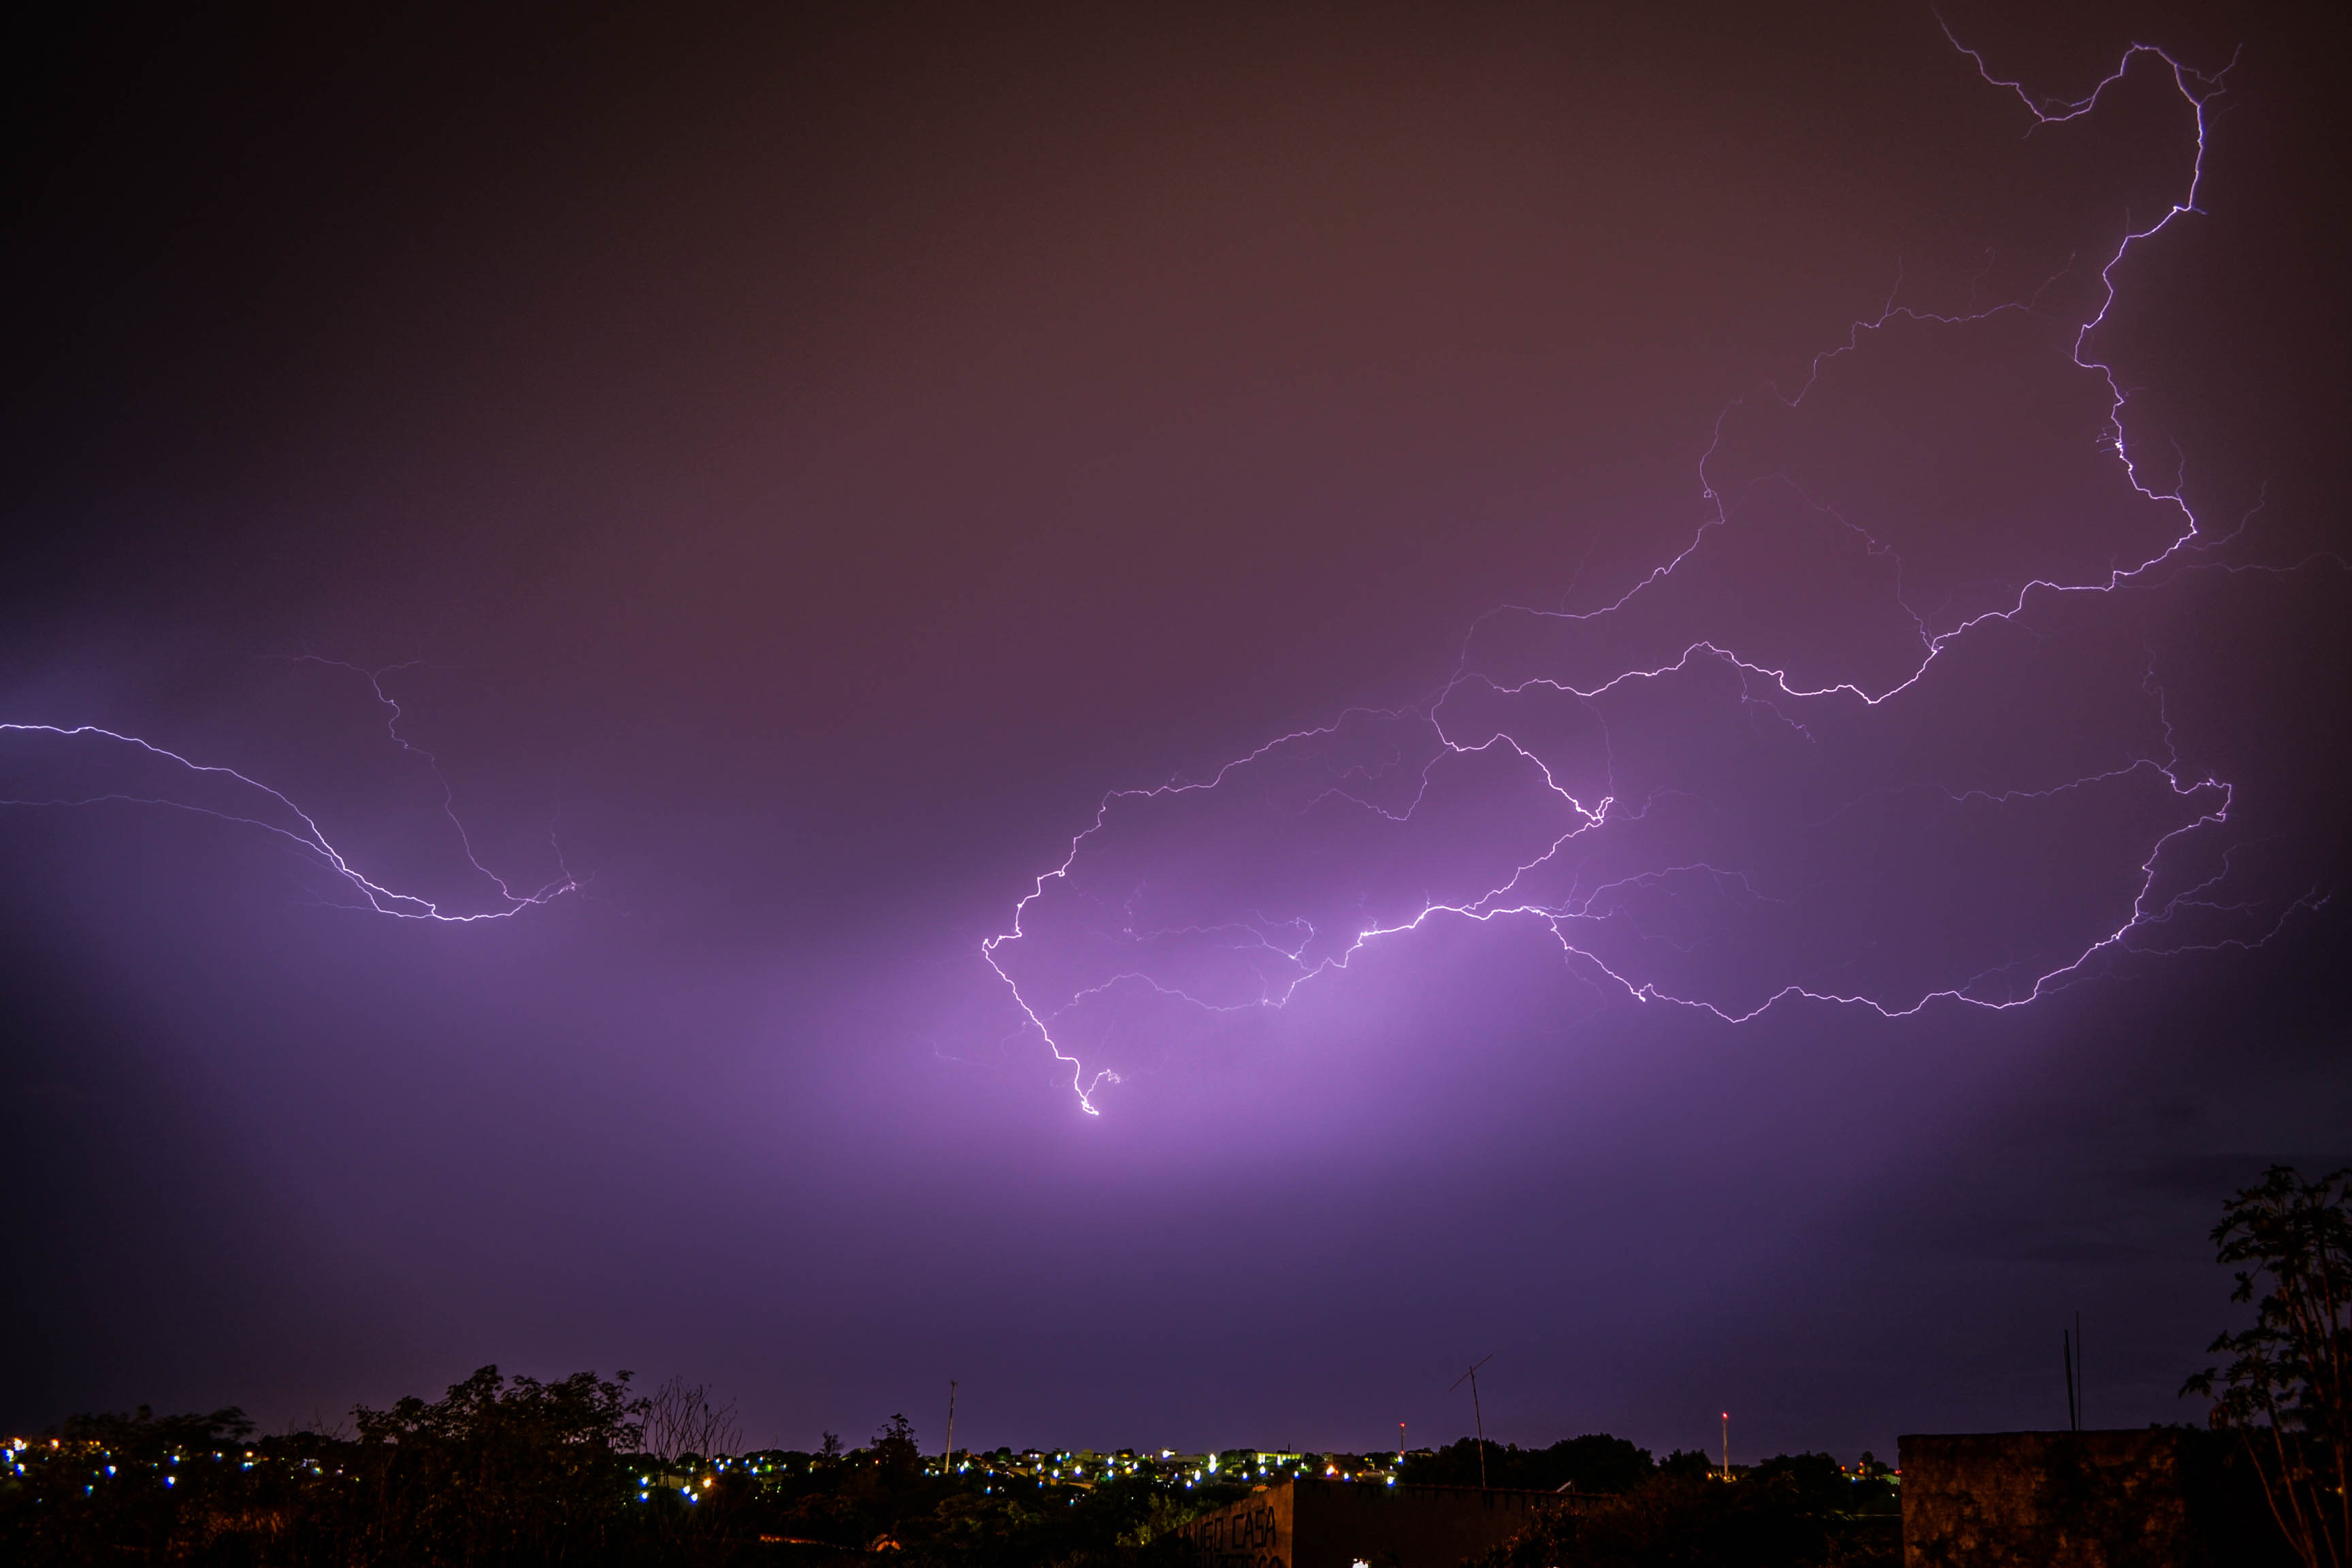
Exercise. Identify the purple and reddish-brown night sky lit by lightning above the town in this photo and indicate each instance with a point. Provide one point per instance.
(1551, 488)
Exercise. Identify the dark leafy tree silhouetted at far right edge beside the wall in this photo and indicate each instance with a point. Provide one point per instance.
(2290, 1383)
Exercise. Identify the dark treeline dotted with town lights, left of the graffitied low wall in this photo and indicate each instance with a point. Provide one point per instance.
(521, 1473)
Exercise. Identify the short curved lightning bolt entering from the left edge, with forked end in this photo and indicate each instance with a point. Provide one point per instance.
(279, 817)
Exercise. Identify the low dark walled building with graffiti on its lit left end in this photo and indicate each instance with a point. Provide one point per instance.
(1339, 1525)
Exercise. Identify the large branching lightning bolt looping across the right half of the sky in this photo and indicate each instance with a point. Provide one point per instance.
(1288, 953)
